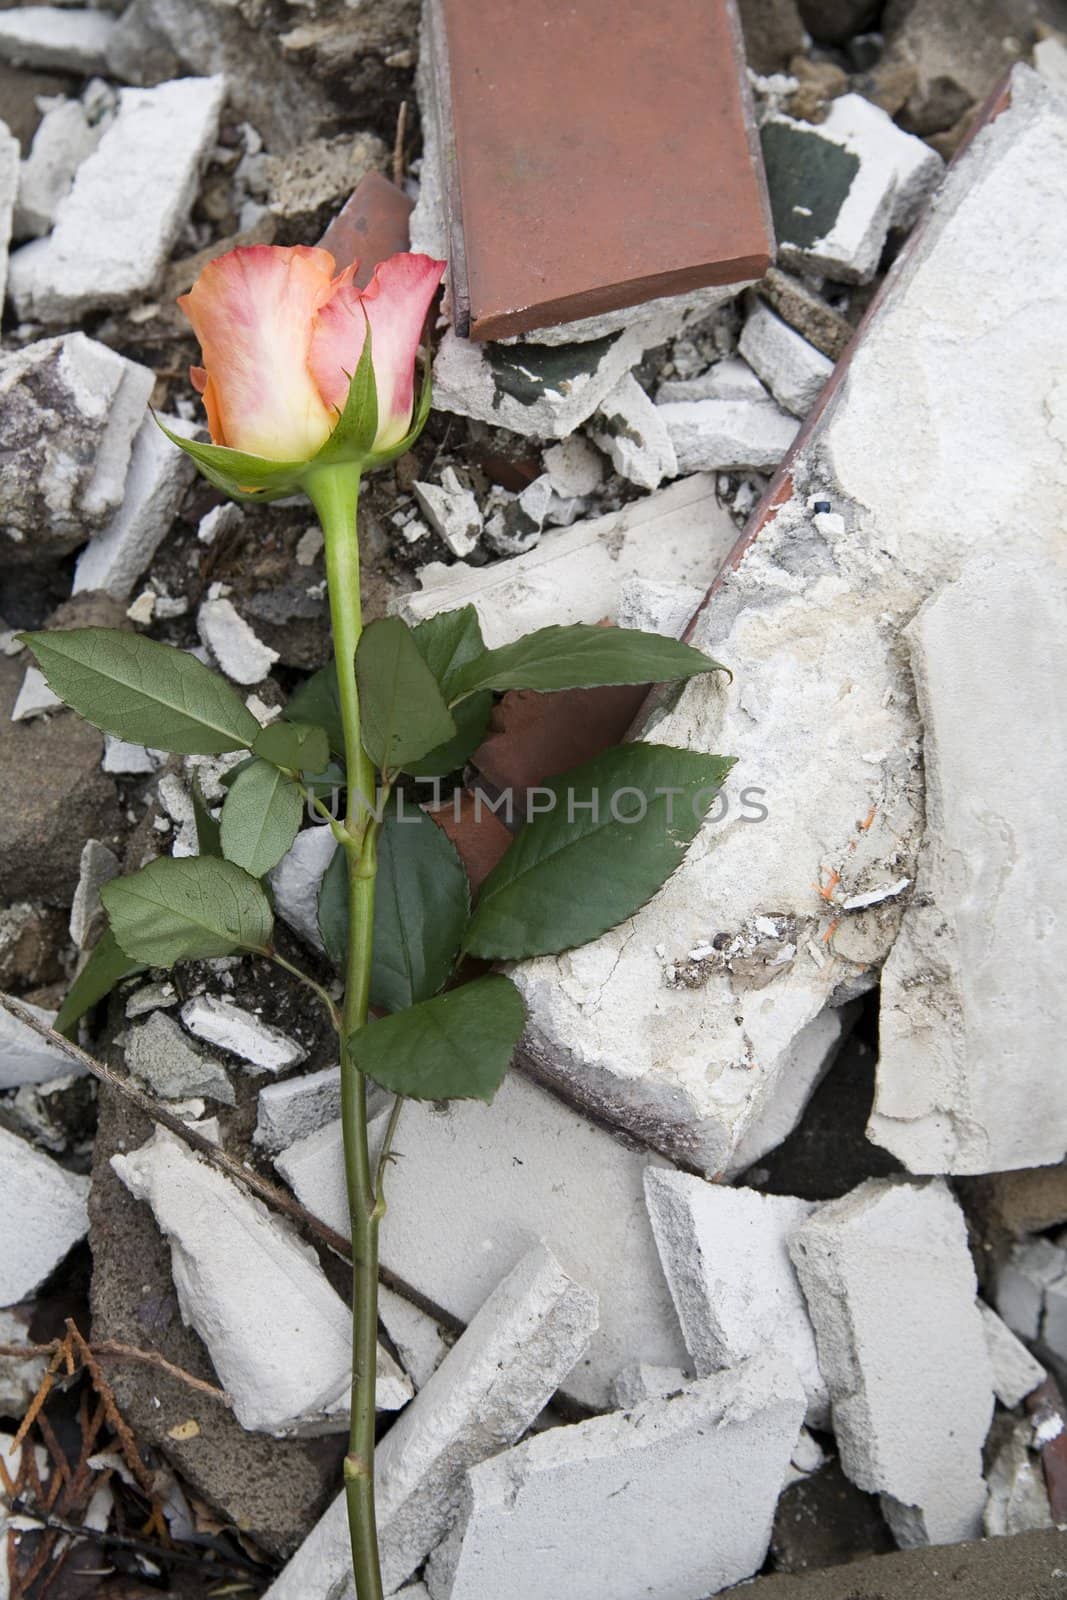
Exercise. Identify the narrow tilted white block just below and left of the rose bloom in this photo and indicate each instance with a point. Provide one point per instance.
(159, 476)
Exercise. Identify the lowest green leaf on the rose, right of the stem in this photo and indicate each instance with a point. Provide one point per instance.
(455, 1047)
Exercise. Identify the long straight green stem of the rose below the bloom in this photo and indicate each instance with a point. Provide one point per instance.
(335, 494)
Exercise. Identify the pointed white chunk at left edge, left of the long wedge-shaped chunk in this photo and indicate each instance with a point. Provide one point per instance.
(44, 1210)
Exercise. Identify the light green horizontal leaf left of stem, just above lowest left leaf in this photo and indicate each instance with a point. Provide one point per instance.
(188, 910)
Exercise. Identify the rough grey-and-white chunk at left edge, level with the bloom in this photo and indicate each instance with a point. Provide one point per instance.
(71, 410)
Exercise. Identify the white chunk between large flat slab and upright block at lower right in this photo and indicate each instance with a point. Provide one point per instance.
(725, 1254)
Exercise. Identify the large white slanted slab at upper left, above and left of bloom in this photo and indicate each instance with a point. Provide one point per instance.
(127, 207)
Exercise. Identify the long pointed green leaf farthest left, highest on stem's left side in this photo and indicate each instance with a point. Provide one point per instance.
(143, 692)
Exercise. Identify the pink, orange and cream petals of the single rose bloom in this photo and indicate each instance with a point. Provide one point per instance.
(281, 337)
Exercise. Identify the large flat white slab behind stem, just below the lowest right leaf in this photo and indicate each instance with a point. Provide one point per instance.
(553, 1175)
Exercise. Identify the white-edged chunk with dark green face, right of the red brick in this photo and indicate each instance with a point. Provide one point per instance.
(831, 201)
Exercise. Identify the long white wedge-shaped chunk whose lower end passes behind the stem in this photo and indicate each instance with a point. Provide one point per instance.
(278, 1334)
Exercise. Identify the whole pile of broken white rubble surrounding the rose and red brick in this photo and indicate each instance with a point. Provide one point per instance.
(757, 1266)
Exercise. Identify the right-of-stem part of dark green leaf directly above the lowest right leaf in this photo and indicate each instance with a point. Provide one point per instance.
(422, 908)
